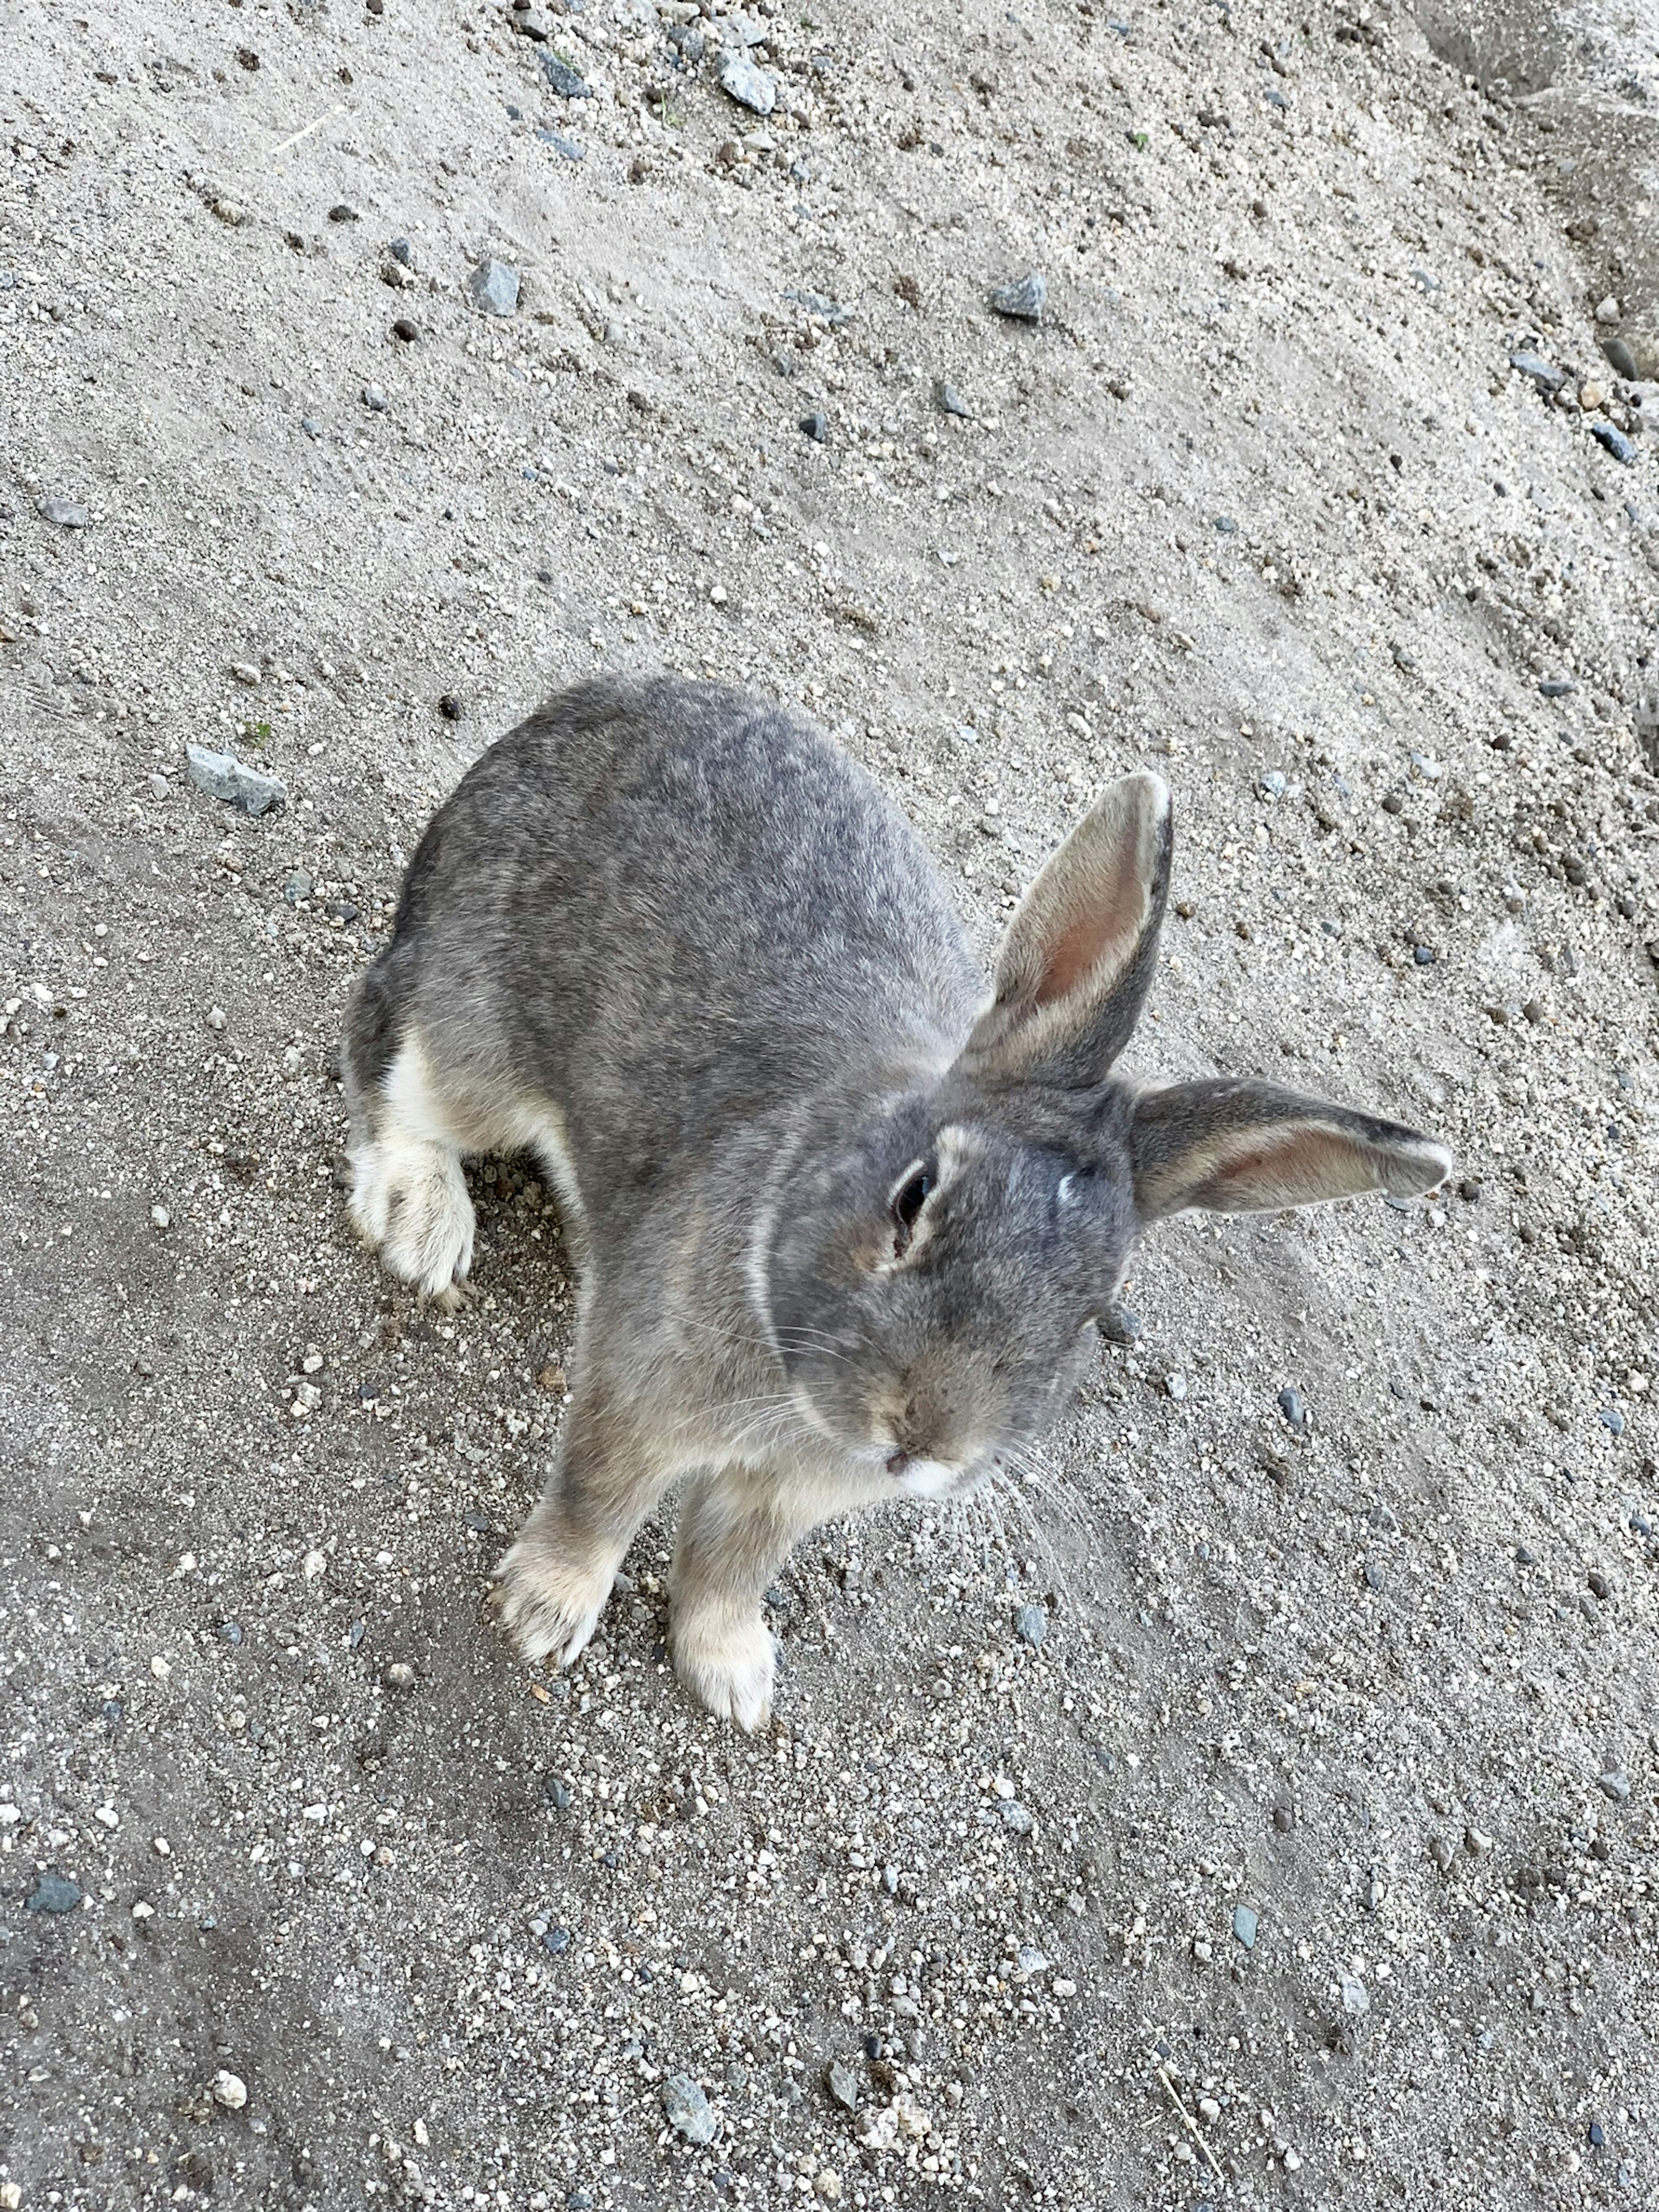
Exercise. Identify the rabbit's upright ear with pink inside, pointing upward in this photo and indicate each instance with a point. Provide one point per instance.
(1078, 959)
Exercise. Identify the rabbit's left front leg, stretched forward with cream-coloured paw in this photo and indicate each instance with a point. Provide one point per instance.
(556, 1578)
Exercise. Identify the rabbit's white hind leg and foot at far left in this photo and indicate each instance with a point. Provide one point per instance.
(408, 1191)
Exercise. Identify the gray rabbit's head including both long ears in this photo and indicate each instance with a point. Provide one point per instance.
(935, 1280)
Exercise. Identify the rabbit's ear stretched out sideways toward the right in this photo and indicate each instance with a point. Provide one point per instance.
(1246, 1149)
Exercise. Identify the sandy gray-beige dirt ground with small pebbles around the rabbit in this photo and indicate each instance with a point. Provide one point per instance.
(1293, 1762)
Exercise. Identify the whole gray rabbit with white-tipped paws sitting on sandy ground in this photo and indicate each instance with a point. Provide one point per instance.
(844, 1218)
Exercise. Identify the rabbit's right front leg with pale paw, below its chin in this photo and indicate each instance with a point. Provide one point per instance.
(735, 1532)
